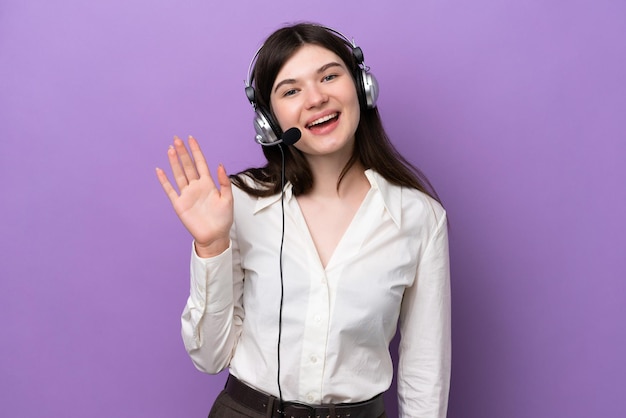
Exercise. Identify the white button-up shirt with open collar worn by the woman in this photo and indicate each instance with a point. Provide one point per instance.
(338, 321)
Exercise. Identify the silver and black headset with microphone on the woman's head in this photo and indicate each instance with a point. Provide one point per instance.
(267, 129)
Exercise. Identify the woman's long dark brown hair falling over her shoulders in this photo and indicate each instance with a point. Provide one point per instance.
(372, 149)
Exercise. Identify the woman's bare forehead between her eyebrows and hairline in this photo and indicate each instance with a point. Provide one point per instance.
(306, 61)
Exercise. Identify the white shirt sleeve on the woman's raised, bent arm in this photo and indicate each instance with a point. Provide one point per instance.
(213, 316)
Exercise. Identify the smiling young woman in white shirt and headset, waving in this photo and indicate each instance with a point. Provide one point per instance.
(298, 282)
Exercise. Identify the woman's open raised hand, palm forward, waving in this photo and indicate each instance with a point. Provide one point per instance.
(205, 210)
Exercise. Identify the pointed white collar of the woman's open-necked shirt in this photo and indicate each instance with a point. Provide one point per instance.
(391, 196)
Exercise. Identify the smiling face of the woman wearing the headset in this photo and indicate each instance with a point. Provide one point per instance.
(314, 91)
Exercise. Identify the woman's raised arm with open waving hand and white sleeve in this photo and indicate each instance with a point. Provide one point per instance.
(213, 314)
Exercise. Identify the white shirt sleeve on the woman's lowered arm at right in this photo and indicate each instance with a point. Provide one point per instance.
(425, 326)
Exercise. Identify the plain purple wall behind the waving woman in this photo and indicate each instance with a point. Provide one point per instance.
(515, 110)
